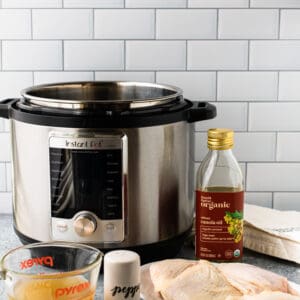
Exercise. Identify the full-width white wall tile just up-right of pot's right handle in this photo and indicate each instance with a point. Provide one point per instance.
(247, 86)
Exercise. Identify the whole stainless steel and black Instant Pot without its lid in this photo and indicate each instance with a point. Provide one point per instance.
(109, 164)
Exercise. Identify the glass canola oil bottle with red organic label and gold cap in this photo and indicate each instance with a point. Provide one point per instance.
(219, 201)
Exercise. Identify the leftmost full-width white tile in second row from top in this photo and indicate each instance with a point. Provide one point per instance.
(62, 23)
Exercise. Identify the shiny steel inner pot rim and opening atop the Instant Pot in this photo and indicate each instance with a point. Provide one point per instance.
(116, 95)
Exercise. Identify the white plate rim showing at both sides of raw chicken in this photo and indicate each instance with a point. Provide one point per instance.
(147, 288)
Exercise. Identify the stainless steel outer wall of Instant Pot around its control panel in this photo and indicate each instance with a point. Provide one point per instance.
(158, 185)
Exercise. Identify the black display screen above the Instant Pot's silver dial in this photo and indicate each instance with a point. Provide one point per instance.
(86, 180)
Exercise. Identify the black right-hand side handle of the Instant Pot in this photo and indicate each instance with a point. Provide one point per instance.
(201, 111)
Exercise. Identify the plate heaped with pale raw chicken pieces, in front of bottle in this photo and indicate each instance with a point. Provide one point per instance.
(180, 279)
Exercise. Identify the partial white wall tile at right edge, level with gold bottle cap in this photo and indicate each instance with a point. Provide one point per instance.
(288, 145)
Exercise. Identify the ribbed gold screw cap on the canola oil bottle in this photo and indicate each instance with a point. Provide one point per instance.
(220, 138)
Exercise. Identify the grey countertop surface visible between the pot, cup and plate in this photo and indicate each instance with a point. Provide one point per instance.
(9, 240)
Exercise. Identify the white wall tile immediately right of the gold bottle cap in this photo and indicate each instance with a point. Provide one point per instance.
(247, 146)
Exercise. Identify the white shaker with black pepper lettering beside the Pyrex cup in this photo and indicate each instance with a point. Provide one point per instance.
(121, 275)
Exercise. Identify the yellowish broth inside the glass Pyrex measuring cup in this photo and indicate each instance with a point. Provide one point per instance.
(68, 288)
